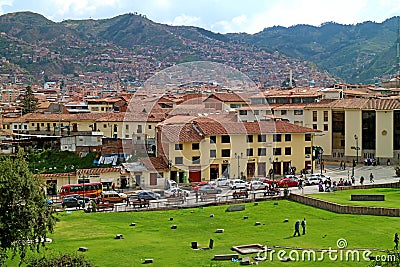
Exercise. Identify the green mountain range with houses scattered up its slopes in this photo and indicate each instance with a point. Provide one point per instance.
(360, 53)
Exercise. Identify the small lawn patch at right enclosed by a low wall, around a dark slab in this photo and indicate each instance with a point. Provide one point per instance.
(392, 197)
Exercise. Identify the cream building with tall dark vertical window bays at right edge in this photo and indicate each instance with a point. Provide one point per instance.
(356, 128)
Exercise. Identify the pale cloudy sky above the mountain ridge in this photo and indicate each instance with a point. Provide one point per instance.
(222, 16)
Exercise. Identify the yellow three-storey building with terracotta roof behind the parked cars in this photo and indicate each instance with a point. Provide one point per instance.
(206, 148)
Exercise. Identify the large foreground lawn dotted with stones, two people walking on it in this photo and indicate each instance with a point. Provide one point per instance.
(152, 237)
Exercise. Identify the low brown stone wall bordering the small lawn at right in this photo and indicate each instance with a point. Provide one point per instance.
(346, 209)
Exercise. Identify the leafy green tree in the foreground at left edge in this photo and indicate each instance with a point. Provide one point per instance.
(25, 216)
